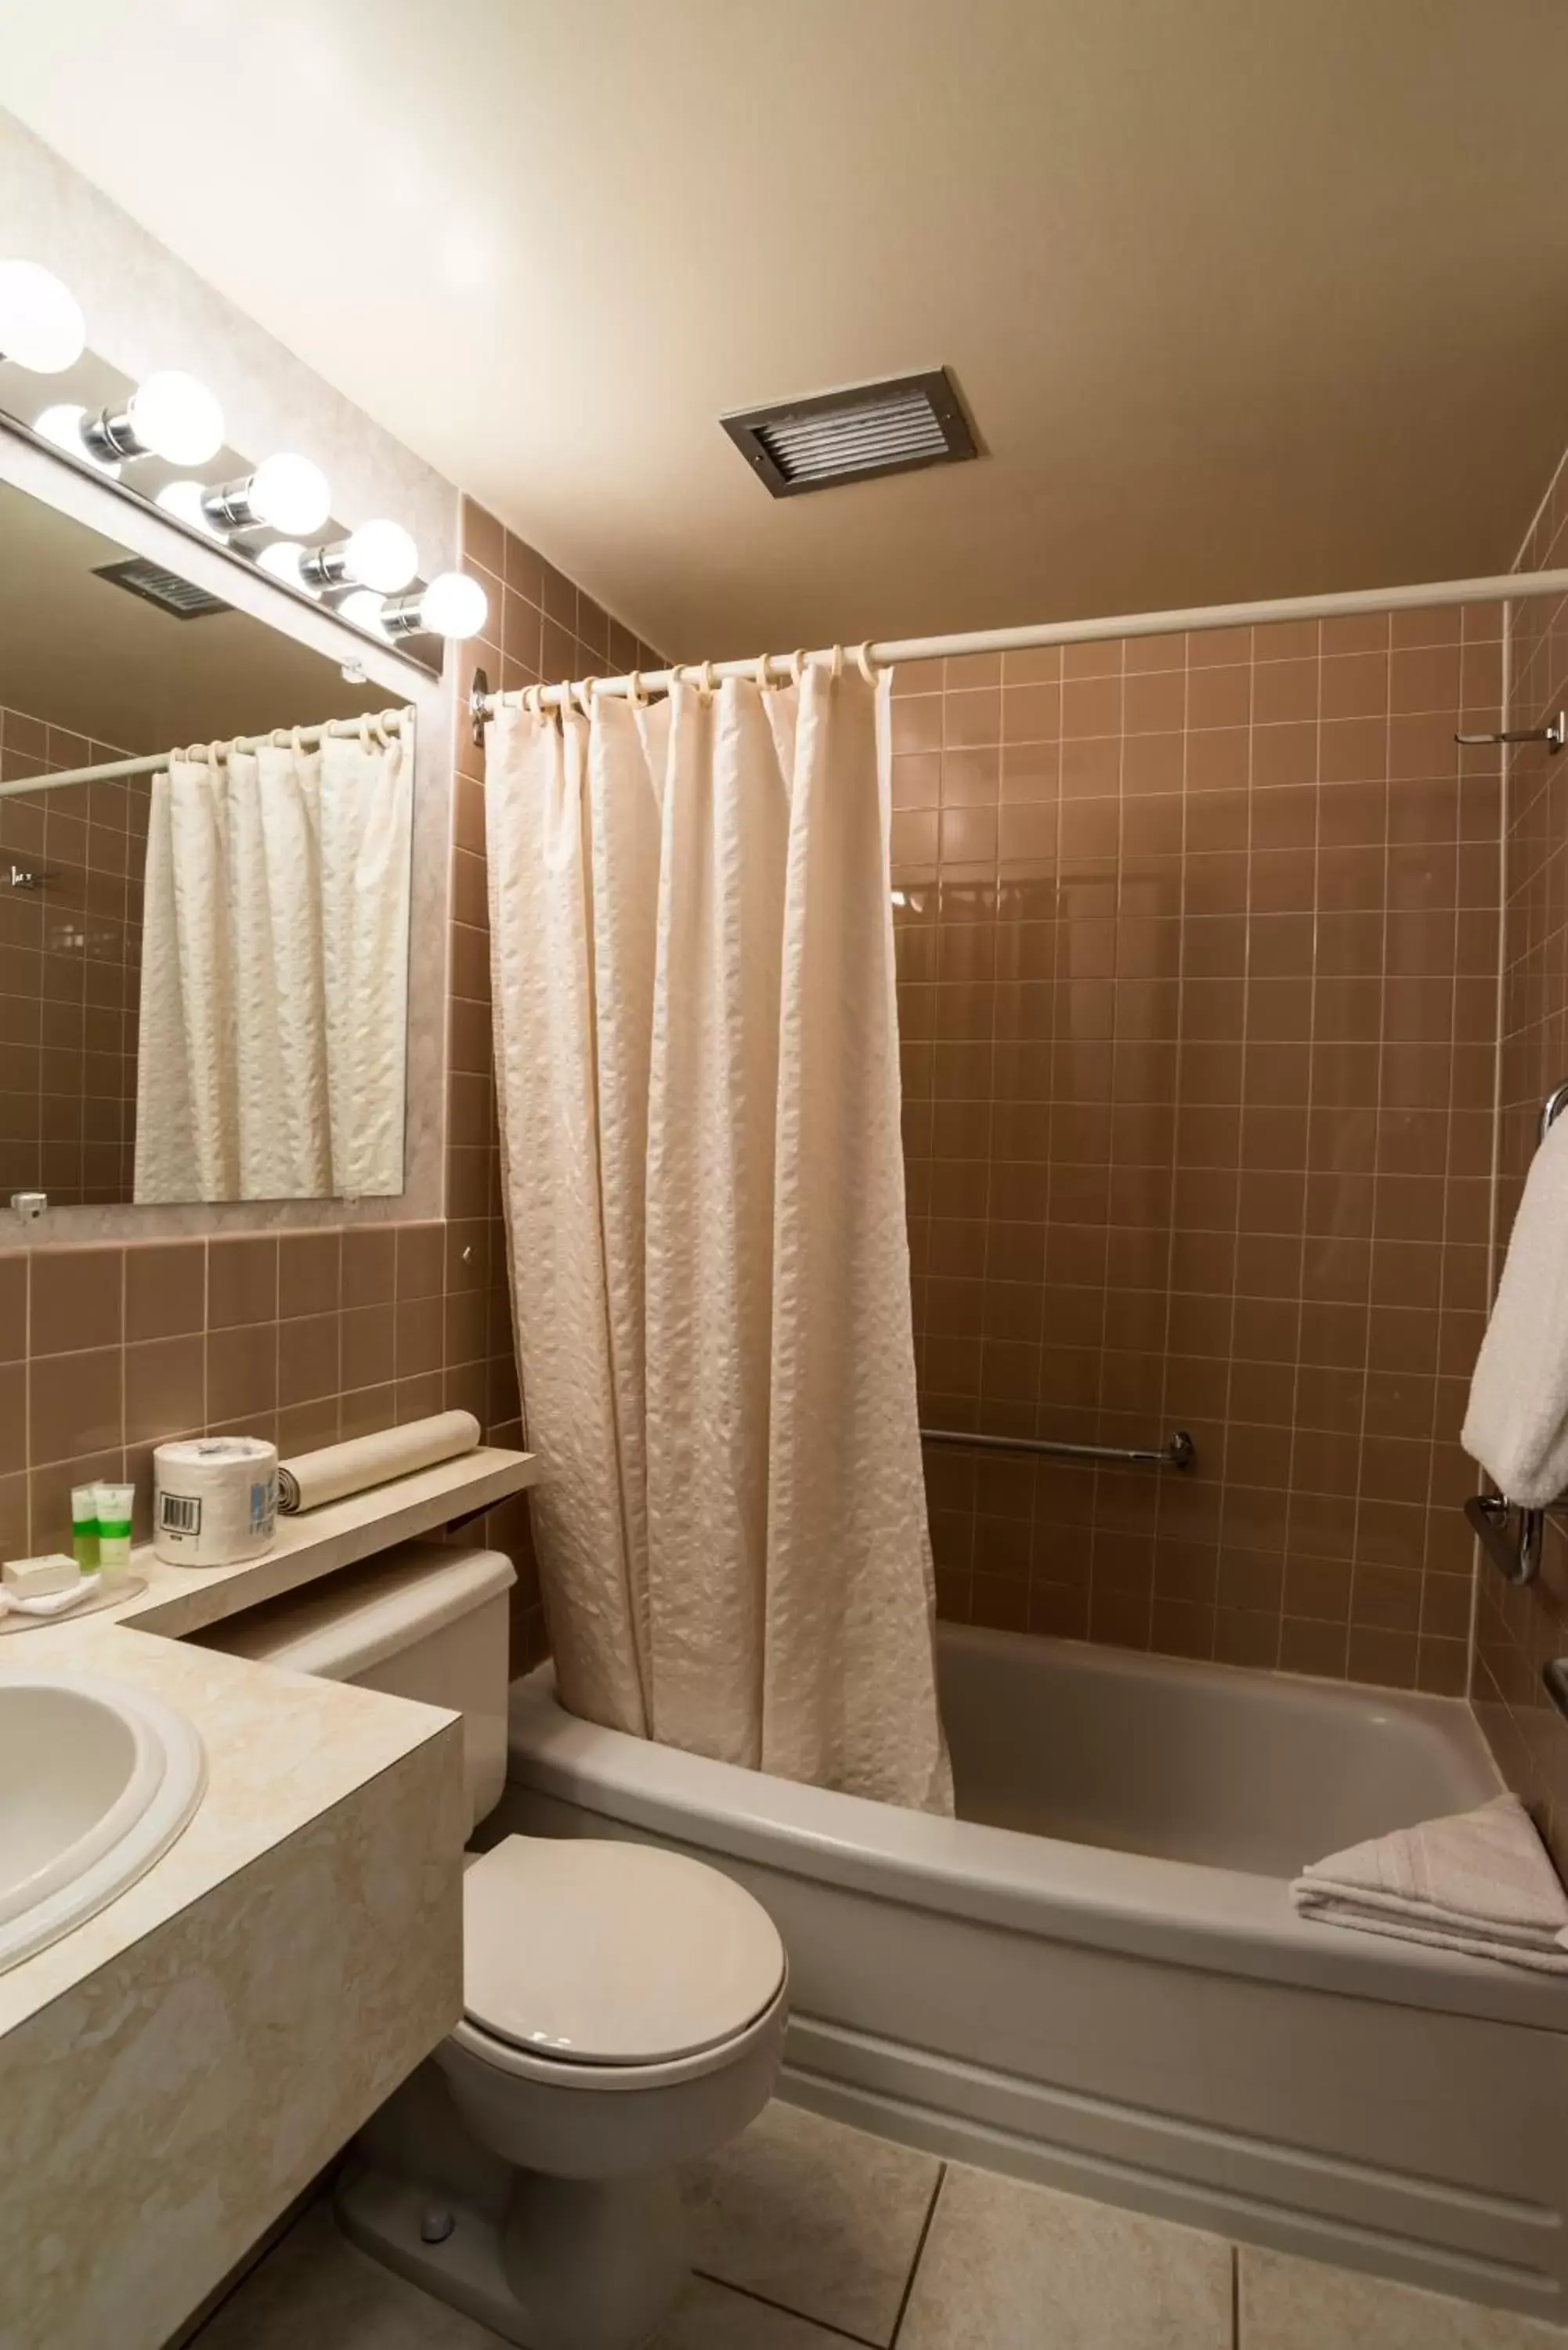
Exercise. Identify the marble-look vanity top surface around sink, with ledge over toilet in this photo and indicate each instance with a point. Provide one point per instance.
(281, 1750)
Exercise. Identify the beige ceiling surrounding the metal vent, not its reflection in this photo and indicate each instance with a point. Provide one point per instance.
(1245, 297)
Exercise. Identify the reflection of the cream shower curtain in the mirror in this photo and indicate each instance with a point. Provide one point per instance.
(274, 974)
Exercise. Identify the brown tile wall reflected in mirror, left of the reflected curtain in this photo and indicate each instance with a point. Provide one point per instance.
(69, 967)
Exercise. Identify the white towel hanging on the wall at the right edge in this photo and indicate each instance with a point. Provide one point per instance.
(1517, 1421)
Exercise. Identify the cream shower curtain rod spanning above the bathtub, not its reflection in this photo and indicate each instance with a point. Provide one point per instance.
(1021, 640)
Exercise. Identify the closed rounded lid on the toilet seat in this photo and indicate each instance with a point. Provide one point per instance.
(612, 1954)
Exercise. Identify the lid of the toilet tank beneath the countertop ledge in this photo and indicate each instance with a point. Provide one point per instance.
(359, 1618)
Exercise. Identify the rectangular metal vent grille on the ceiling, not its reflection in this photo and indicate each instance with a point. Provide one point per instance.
(855, 436)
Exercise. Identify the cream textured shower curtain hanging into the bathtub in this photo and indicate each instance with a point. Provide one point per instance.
(699, 1115)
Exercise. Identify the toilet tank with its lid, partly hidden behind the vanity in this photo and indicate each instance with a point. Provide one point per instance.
(424, 1620)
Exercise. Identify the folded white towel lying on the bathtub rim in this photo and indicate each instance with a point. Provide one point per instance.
(1477, 1884)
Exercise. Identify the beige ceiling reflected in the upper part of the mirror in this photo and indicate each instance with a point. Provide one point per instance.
(83, 654)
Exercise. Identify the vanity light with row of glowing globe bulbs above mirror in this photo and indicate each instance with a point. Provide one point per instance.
(175, 417)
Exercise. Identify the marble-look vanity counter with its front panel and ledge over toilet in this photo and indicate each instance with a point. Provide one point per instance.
(182, 2064)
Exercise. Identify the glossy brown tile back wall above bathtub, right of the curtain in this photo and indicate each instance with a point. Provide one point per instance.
(1198, 991)
